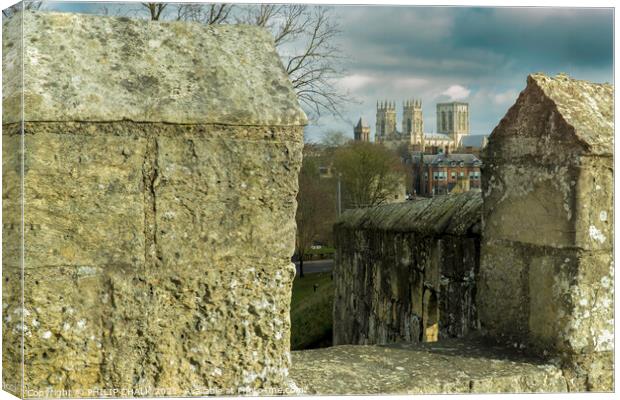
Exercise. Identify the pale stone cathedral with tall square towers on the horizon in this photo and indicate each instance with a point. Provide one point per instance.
(452, 126)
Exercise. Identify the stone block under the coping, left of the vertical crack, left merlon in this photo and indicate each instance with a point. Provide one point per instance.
(68, 174)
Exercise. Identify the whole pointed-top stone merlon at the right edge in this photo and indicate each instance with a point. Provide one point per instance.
(546, 273)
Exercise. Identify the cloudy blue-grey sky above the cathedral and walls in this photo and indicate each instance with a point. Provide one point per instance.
(478, 55)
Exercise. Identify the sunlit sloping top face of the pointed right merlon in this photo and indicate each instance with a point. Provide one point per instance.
(586, 106)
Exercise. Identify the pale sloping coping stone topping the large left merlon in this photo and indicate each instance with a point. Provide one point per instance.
(109, 68)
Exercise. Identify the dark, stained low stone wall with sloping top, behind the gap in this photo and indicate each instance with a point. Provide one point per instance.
(406, 271)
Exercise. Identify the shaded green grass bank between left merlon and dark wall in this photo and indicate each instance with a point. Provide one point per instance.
(311, 312)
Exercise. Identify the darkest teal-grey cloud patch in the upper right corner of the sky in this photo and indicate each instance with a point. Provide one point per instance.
(549, 37)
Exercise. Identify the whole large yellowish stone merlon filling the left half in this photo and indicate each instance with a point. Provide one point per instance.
(159, 182)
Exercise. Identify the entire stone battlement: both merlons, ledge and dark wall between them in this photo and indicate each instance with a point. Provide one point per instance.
(156, 168)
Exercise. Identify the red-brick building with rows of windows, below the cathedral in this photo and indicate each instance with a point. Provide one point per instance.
(445, 173)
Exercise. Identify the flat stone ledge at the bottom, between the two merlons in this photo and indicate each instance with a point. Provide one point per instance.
(448, 366)
